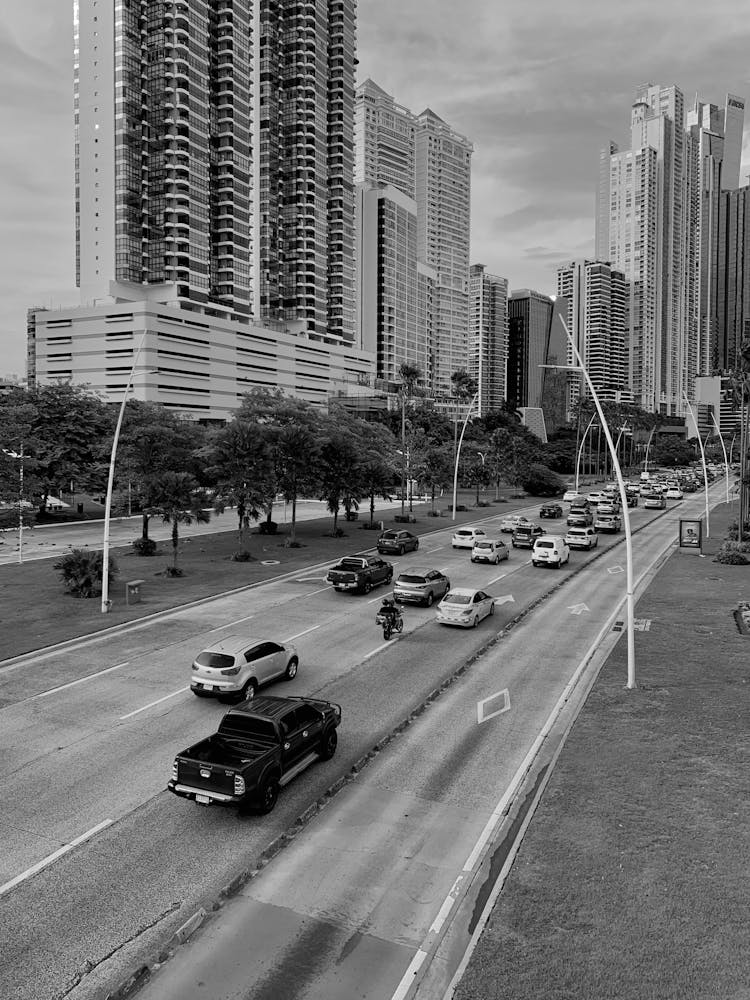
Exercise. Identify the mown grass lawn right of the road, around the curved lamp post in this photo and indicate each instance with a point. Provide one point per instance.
(633, 879)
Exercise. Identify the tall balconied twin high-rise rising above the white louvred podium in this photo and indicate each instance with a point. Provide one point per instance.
(214, 158)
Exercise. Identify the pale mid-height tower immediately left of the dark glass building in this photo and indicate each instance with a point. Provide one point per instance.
(488, 336)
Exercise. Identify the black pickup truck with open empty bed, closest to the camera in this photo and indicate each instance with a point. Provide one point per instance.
(260, 746)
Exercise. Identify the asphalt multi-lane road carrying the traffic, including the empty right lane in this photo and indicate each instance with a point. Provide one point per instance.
(101, 865)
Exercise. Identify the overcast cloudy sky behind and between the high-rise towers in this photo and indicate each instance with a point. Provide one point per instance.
(537, 85)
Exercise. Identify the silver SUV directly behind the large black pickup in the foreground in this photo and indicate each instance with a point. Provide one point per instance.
(233, 668)
